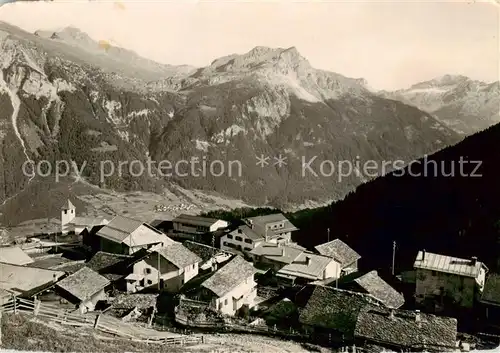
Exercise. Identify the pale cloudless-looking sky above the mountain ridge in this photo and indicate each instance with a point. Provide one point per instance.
(391, 44)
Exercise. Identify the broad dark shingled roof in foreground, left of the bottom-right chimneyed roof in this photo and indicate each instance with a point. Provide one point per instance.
(335, 309)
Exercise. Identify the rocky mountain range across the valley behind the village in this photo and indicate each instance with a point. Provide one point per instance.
(65, 96)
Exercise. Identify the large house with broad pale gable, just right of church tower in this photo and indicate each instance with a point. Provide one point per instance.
(125, 236)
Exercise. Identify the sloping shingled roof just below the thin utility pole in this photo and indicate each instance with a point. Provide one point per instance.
(380, 289)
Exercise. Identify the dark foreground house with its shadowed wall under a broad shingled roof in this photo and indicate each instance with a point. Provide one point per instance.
(330, 314)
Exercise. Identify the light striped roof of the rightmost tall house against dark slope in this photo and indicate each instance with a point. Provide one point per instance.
(447, 264)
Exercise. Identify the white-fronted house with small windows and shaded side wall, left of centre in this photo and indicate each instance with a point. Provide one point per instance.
(169, 268)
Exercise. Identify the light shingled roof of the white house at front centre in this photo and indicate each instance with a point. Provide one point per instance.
(230, 276)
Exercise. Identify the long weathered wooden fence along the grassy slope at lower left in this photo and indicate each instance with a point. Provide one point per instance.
(98, 321)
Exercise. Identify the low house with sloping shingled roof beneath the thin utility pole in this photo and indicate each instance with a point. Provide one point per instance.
(371, 283)
